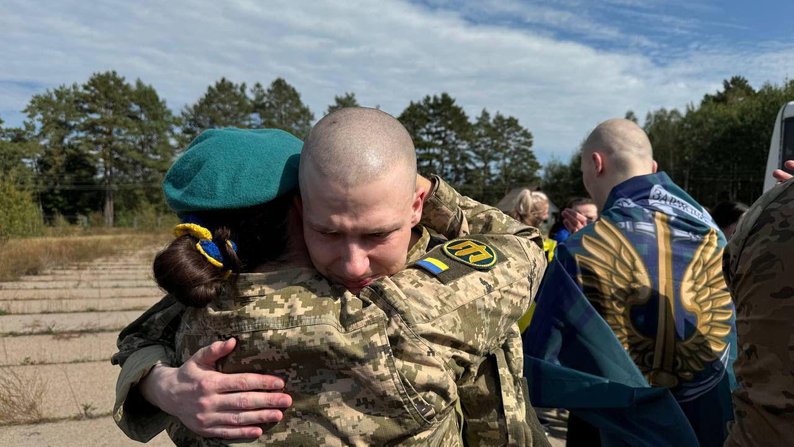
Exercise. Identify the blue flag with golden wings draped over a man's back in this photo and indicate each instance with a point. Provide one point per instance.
(651, 268)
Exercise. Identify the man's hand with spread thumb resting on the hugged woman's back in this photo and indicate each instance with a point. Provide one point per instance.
(214, 404)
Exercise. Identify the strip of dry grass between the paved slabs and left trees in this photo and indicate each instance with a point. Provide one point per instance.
(30, 256)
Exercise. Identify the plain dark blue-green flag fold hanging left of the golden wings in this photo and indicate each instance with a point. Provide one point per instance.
(573, 360)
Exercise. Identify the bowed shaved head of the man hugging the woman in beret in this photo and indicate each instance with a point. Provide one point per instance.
(359, 196)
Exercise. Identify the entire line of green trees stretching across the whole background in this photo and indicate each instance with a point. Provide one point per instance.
(102, 147)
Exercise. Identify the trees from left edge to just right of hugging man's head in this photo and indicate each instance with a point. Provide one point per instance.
(103, 146)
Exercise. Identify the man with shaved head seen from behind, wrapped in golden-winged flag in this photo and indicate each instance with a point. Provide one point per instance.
(650, 265)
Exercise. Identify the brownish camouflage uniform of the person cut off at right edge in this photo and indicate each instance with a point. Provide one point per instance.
(759, 269)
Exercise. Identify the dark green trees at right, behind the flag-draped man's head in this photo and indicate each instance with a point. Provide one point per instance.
(716, 150)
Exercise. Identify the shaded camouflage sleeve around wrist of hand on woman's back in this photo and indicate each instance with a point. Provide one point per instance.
(146, 342)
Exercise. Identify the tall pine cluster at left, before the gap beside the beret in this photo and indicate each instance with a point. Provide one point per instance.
(104, 142)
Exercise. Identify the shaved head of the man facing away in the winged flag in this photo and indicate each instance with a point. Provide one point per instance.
(615, 151)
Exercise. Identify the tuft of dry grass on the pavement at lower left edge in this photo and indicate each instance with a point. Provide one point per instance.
(21, 397)
